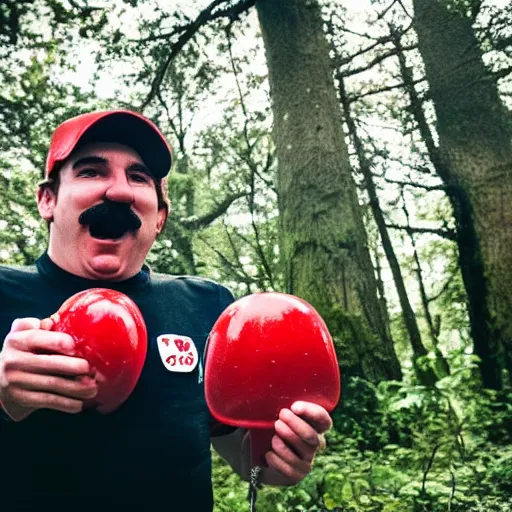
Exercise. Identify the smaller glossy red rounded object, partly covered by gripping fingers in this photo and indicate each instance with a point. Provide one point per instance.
(110, 333)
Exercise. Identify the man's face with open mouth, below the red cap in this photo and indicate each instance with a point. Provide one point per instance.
(97, 173)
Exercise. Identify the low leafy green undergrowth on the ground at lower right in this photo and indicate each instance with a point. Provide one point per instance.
(399, 447)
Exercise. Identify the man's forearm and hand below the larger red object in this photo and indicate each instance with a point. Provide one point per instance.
(298, 436)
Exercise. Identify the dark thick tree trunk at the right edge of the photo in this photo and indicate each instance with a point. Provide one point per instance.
(475, 159)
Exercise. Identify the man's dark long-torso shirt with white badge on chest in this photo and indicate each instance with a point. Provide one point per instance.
(154, 451)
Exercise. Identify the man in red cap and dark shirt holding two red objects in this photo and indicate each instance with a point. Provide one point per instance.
(104, 200)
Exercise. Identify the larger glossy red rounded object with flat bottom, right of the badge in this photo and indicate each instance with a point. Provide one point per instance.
(266, 351)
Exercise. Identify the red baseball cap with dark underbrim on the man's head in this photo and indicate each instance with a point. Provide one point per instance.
(121, 126)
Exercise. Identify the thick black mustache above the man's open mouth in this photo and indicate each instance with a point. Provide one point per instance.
(110, 219)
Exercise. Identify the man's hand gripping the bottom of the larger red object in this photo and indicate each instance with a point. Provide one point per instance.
(298, 436)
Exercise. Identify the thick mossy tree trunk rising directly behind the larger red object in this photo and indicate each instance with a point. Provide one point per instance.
(322, 237)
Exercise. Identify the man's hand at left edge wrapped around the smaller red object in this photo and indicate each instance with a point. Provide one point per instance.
(38, 370)
